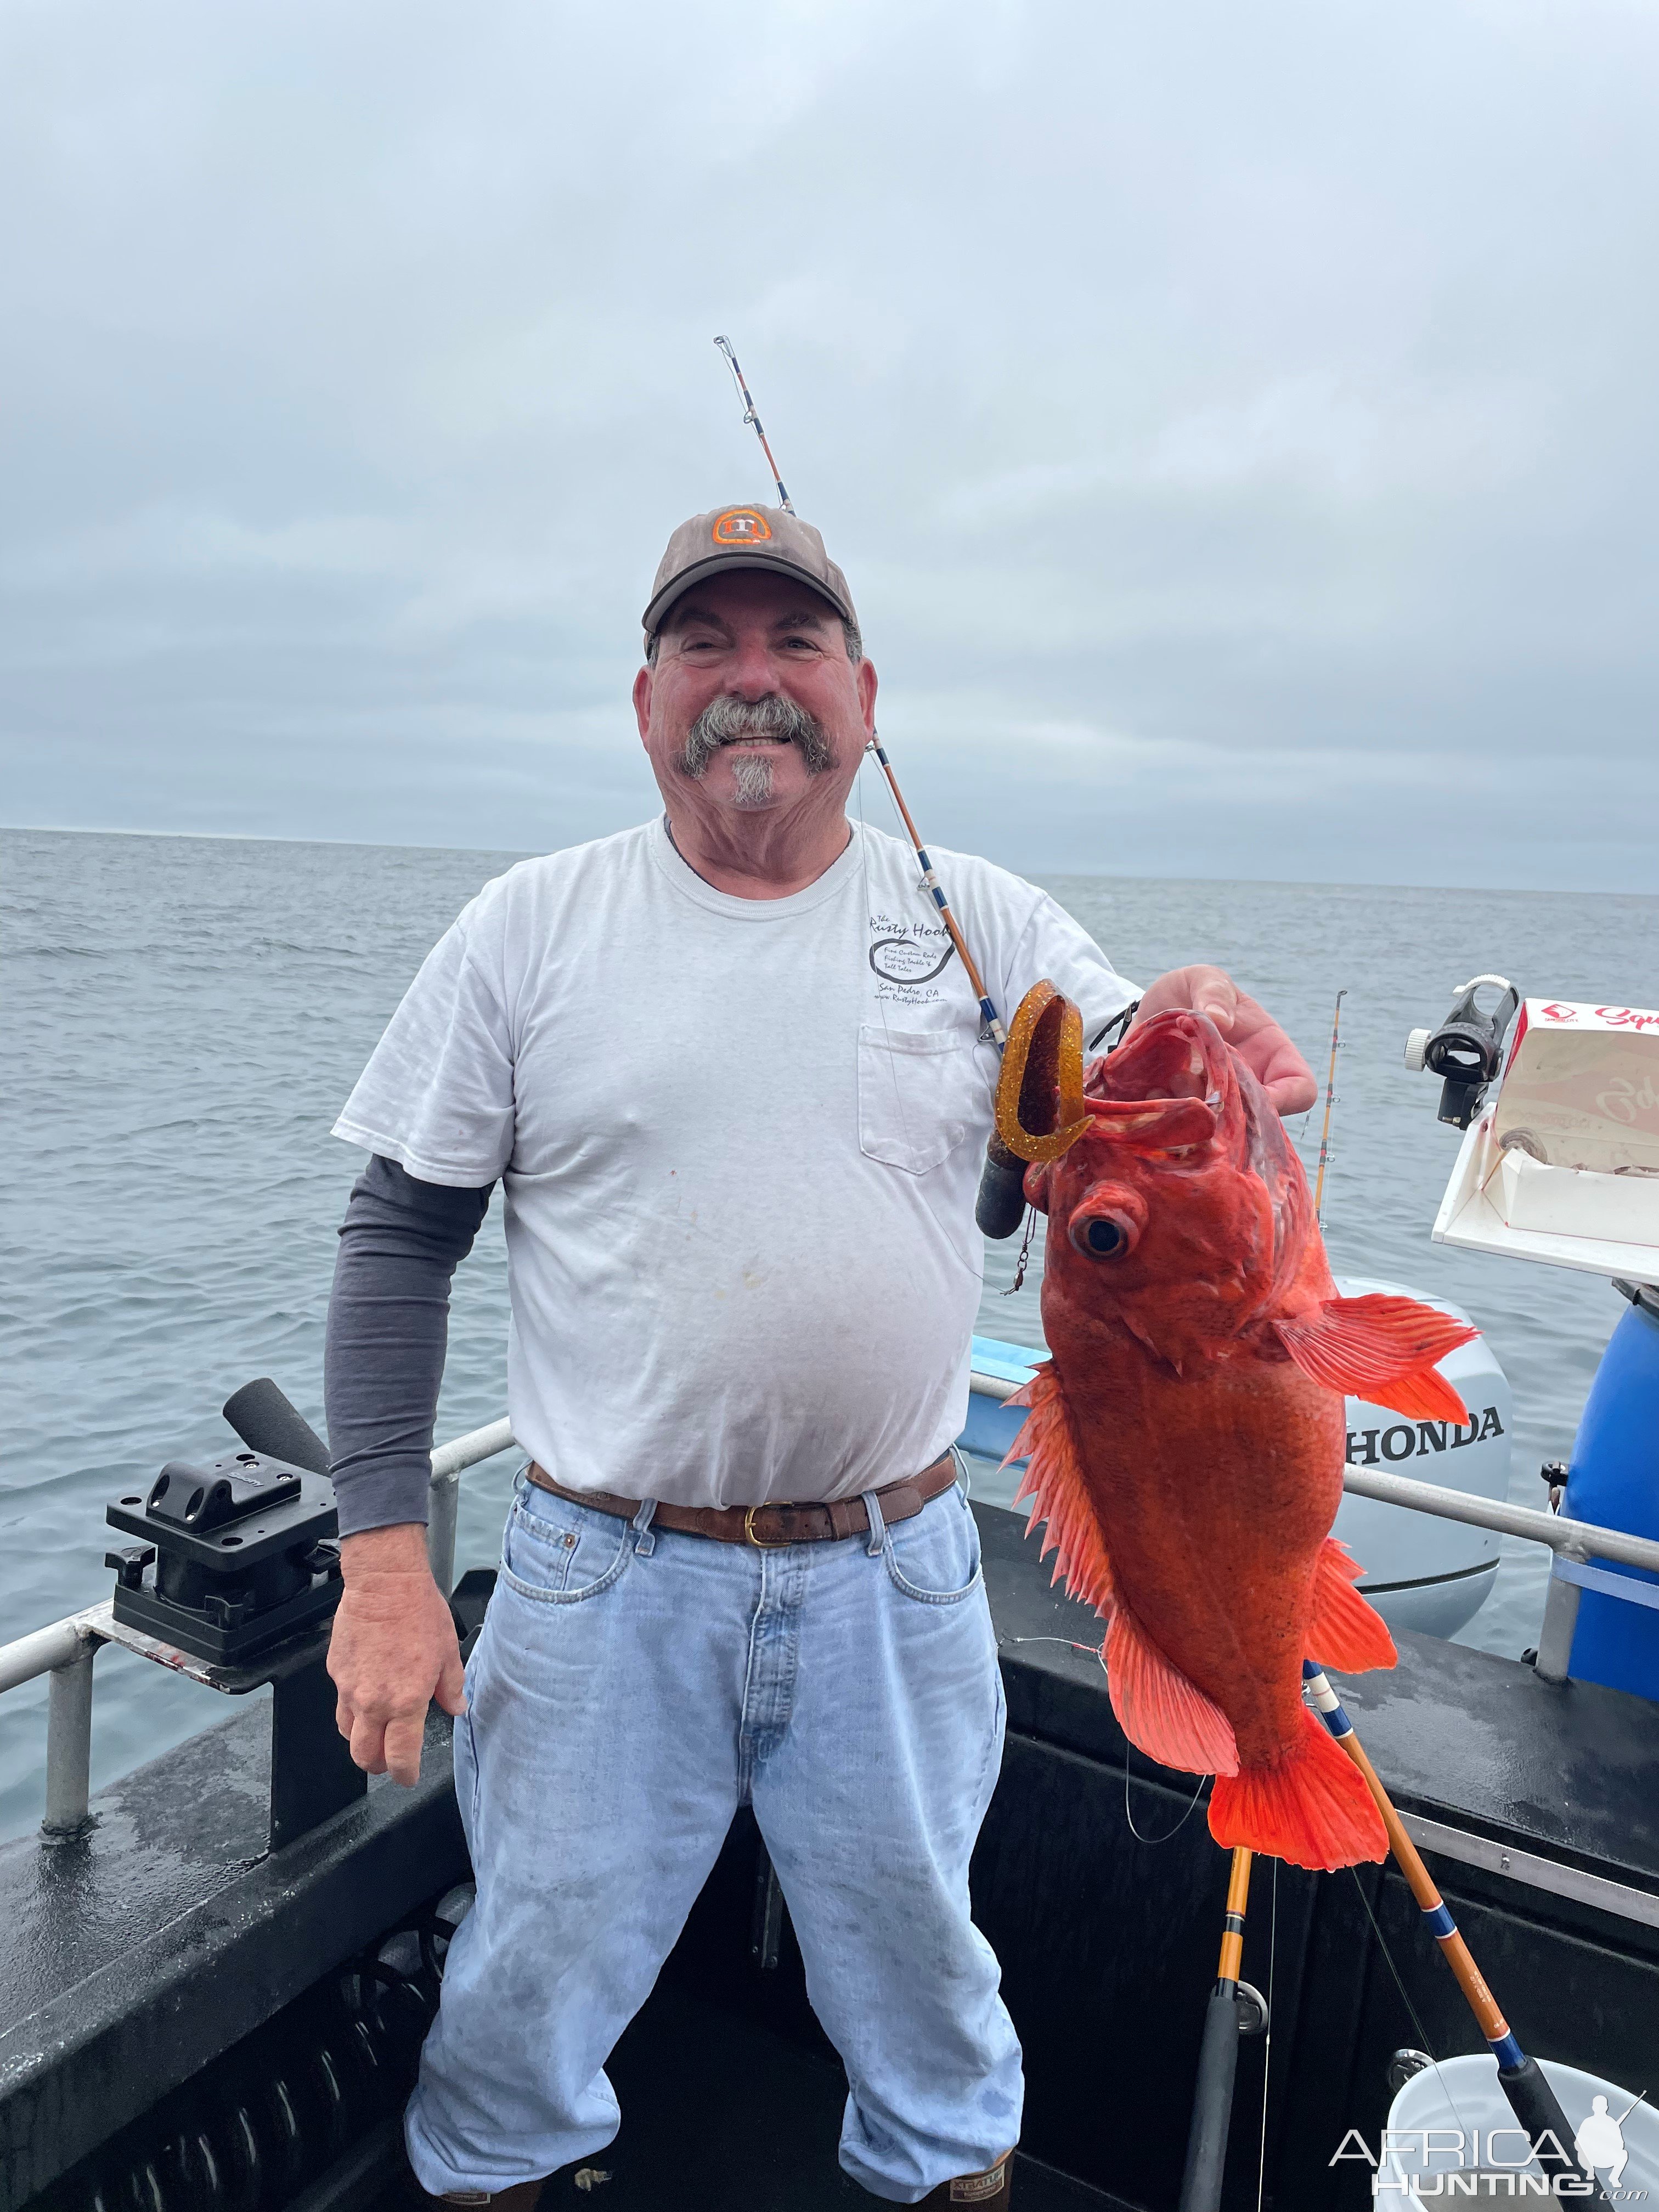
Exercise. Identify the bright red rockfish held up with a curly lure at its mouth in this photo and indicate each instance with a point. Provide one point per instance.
(1187, 1439)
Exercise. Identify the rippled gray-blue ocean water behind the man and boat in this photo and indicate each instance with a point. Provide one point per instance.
(185, 1016)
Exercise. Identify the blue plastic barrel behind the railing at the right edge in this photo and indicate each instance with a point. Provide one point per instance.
(1614, 1481)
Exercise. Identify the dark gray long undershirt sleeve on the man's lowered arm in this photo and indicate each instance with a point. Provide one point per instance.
(388, 1333)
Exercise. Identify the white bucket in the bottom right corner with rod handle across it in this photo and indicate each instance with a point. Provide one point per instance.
(1461, 2098)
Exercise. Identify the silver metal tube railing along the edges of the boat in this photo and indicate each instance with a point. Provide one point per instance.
(65, 1651)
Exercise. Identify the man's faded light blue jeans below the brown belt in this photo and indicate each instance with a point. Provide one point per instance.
(629, 1693)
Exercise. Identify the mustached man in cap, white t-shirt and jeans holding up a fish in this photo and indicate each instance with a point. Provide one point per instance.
(733, 1083)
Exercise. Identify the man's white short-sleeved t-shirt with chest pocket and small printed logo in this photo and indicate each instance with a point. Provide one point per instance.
(740, 1145)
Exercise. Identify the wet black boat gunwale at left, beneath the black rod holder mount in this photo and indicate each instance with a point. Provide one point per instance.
(138, 1954)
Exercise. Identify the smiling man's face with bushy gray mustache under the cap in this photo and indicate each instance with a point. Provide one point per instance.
(753, 705)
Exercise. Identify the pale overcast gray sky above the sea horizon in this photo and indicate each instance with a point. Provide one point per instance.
(1238, 421)
